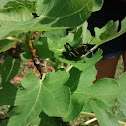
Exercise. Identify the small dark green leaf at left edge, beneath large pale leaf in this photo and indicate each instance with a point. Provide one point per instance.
(6, 44)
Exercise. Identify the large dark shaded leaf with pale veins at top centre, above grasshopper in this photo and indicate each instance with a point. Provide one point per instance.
(65, 12)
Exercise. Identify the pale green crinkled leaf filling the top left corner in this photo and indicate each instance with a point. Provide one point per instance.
(16, 18)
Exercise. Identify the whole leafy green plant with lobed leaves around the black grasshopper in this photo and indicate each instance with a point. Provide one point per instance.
(59, 96)
